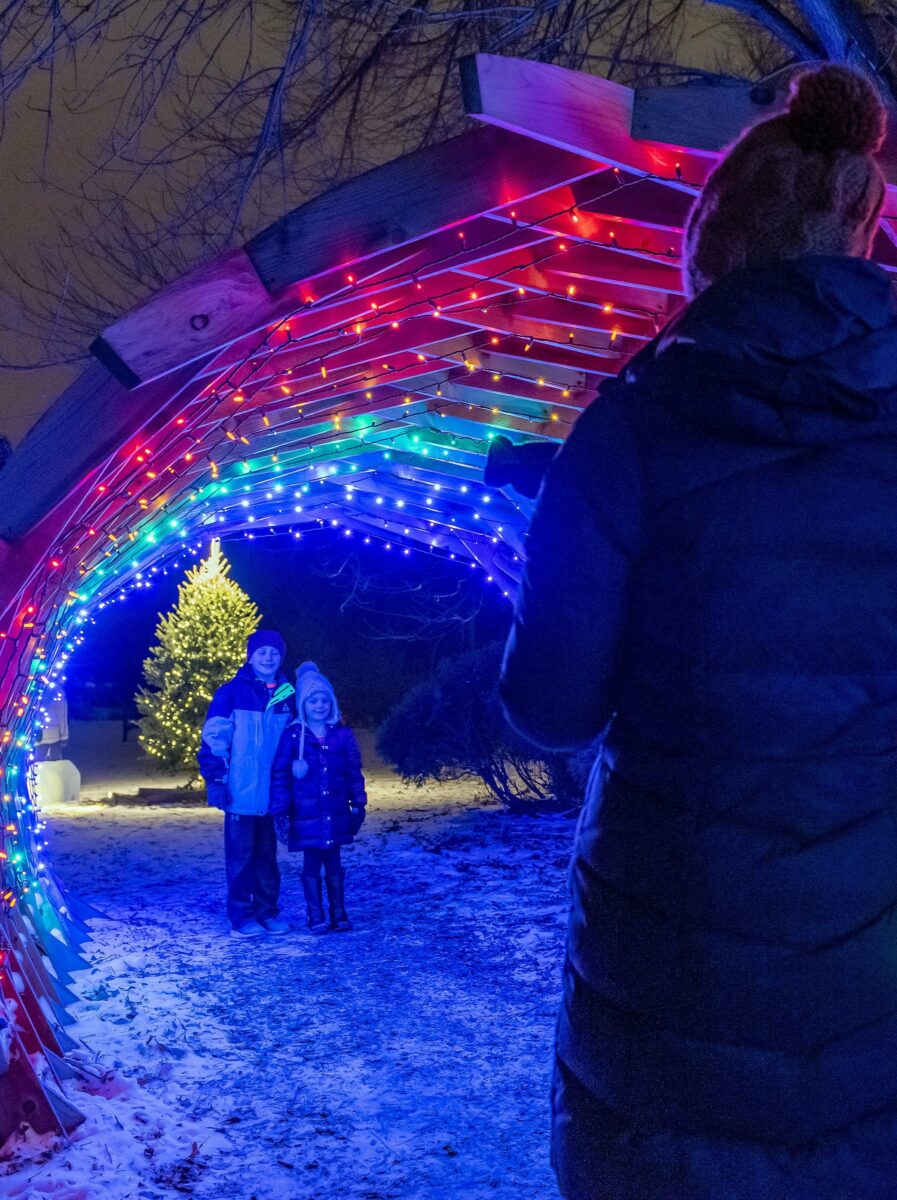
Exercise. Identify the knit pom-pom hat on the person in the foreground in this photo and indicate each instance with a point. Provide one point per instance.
(803, 183)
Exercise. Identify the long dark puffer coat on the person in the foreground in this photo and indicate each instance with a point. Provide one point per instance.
(714, 561)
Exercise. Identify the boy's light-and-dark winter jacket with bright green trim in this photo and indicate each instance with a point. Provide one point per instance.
(240, 737)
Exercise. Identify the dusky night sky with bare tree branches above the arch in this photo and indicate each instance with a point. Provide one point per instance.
(140, 139)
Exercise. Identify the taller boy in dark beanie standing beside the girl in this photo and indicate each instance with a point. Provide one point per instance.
(242, 733)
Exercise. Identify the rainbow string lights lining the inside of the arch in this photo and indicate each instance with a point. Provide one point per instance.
(184, 472)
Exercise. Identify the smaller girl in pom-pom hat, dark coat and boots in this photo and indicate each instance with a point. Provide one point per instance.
(317, 778)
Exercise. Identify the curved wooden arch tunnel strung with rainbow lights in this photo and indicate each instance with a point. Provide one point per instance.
(347, 367)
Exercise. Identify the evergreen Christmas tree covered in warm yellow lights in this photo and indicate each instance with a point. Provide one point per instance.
(200, 645)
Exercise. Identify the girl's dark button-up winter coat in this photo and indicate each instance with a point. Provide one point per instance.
(328, 806)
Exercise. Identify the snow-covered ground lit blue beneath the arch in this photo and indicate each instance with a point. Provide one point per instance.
(408, 1059)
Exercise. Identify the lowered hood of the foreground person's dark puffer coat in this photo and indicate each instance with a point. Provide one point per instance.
(796, 353)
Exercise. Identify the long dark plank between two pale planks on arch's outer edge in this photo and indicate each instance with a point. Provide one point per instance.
(413, 196)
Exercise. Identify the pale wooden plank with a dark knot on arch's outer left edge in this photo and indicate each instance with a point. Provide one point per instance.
(204, 310)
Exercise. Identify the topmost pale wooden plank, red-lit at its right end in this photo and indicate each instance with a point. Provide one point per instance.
(575, 112)
